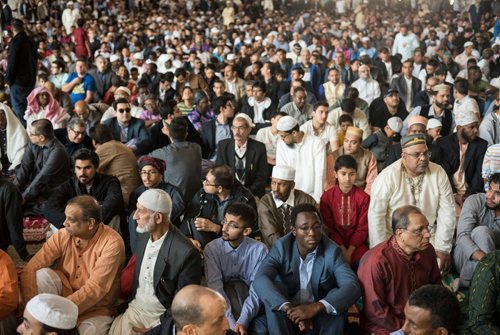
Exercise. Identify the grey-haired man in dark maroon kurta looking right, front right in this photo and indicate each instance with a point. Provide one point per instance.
(393, 269)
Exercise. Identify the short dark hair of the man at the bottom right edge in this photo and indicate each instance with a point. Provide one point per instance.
(442, 304)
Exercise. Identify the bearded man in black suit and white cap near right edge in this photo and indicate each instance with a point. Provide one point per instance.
(464, 169)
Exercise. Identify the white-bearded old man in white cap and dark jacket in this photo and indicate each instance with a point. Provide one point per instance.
(166, 262)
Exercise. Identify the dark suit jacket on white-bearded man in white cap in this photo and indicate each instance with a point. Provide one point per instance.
(178, 264)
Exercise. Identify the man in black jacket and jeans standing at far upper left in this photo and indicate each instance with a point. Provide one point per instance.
(21, 69)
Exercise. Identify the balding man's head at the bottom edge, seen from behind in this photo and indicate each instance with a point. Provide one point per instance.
(195, 310)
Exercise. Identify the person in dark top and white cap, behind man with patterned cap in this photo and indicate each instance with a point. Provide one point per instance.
(380, 141)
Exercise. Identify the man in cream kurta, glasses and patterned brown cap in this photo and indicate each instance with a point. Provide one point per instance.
(416, 181)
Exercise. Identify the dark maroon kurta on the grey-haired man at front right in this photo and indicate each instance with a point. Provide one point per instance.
(388, 276)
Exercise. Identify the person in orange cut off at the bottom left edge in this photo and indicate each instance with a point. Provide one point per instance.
(9, 294)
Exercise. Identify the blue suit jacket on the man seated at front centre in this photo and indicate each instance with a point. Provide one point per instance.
(278, 279)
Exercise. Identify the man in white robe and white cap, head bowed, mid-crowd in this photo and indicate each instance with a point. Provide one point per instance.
(306, 153)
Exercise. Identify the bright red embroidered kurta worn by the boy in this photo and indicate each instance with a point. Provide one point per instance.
(346, 216)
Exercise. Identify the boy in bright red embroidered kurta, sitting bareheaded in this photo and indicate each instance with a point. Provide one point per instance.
(344, 209)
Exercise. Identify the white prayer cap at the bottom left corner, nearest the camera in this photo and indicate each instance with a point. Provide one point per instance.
(53, 310)
